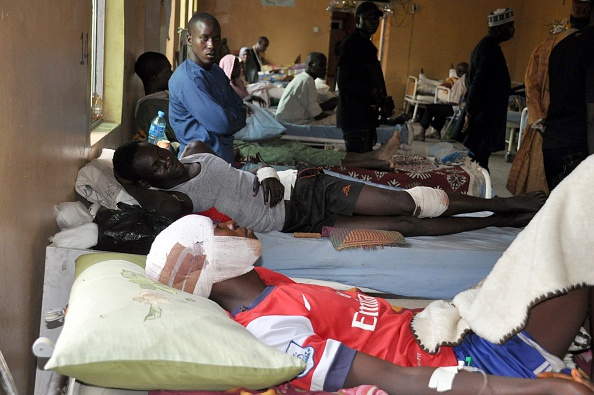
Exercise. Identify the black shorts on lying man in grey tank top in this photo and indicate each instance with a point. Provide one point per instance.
(317, 199)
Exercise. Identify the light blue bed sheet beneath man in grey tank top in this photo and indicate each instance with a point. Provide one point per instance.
(431, 267)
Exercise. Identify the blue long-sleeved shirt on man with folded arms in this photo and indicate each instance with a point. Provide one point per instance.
(203, 106)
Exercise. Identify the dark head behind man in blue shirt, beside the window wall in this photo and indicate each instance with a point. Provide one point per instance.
(154, 69)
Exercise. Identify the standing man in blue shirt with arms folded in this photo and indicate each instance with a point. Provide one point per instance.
(202, 104)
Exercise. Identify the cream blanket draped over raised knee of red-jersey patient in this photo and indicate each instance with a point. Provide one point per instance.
(552, 255)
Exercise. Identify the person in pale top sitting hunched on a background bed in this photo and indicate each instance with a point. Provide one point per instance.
(299, 103)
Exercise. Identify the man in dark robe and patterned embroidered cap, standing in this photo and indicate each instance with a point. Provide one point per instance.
(489, 87)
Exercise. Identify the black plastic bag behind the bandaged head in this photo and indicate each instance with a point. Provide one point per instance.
(132, 229)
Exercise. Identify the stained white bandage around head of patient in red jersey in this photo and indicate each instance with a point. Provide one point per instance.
(187, 256)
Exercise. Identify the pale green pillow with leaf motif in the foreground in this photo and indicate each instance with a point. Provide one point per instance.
(124, 330)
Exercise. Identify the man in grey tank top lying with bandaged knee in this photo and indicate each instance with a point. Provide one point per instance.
(309, 201)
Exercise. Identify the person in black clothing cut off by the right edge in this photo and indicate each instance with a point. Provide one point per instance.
(569, 134)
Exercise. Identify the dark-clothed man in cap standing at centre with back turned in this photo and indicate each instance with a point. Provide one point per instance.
(361, 84)
